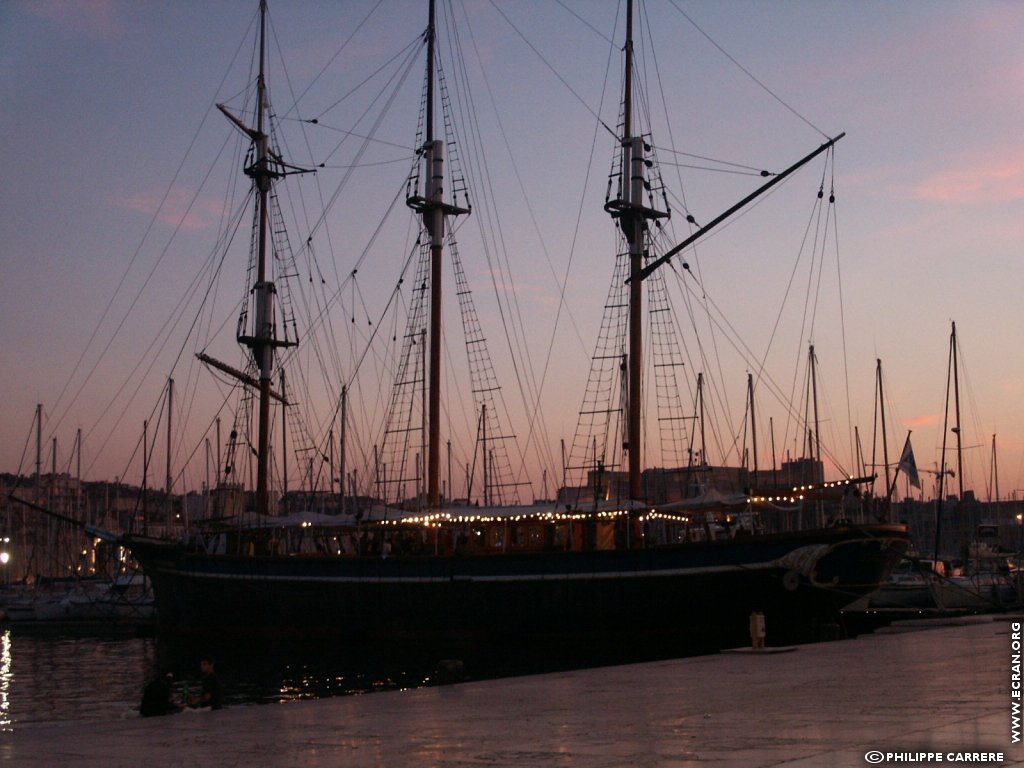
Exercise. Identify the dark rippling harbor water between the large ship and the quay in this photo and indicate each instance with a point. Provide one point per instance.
(63, 675)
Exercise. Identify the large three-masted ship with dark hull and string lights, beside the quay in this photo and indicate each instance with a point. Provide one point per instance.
(628, 572)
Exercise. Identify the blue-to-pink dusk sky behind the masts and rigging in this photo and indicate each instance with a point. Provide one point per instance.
(110, 131)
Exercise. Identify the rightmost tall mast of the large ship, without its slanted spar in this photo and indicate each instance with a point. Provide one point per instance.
(633, 218)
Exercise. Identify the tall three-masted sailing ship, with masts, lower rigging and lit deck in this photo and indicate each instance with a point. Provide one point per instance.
(613, 559)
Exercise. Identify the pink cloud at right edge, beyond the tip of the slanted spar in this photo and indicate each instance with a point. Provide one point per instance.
(980, 180)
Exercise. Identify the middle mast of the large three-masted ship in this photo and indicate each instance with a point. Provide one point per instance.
(434, 209)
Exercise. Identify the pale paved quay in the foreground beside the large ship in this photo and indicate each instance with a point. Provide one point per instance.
(913, 696)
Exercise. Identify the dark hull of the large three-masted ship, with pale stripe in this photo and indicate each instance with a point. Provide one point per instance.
(695, 596)
